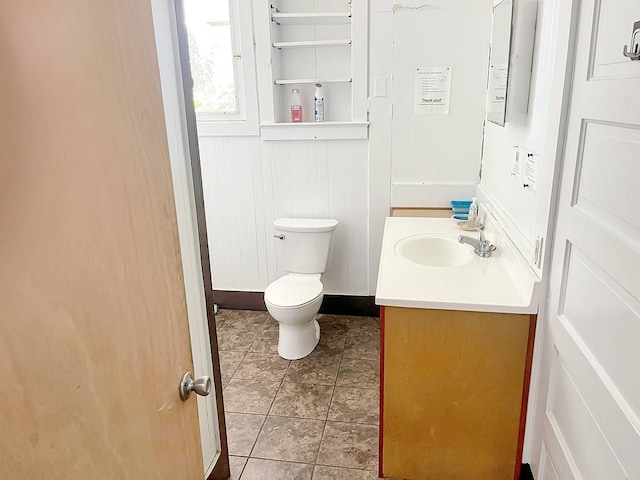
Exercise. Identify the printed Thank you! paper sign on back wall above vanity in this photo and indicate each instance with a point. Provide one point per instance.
(432, 91)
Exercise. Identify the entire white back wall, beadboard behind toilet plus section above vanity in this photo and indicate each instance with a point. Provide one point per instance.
(249, 182)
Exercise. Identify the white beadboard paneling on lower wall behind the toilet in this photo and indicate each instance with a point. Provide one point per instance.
(248, 183)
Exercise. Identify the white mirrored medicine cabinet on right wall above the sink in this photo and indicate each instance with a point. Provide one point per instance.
(512, 41)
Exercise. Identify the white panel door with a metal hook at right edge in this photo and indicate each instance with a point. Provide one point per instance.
(592, 428)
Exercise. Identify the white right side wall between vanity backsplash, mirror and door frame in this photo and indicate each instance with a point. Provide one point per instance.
(525, 212)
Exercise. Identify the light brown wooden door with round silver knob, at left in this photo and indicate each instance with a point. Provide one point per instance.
(93, 324)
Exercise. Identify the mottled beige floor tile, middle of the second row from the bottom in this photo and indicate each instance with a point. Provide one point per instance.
(289, 439)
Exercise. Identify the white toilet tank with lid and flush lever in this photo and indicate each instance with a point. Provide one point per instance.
(306, 243)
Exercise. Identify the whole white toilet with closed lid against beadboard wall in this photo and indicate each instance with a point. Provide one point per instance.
(302, 250)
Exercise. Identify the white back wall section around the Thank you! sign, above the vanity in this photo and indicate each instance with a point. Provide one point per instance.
(437, 157)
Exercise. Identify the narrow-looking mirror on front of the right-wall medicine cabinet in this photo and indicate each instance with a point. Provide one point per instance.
(499, 62)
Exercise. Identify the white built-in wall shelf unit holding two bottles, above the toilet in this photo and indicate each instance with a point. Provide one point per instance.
(303, 42)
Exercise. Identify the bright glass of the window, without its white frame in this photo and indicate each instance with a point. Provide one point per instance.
(211, 56)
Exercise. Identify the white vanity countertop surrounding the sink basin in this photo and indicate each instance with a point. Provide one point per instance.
(502, 283)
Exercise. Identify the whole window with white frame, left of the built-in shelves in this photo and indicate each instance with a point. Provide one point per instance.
(221, 58)
